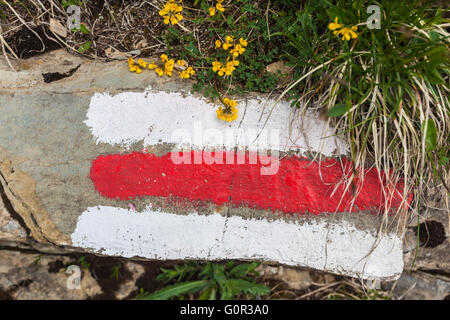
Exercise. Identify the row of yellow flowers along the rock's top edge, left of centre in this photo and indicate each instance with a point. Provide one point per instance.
(166, 68)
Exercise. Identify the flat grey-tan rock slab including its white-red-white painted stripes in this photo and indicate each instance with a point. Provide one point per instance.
(87, 163)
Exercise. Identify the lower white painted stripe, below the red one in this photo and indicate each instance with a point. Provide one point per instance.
(157, 235)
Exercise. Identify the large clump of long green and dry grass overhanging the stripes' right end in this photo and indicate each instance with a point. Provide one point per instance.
(385, 90)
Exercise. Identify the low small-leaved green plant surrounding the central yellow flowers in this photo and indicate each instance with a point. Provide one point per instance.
(245, 19)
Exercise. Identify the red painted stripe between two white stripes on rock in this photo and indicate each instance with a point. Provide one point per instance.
(296, 187)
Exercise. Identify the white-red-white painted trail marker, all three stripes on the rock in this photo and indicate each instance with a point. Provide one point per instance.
(238, 173)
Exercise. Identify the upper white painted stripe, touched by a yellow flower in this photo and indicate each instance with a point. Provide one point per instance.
(188, 121)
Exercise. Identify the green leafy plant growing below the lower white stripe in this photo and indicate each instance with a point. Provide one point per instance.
(209, 281)
